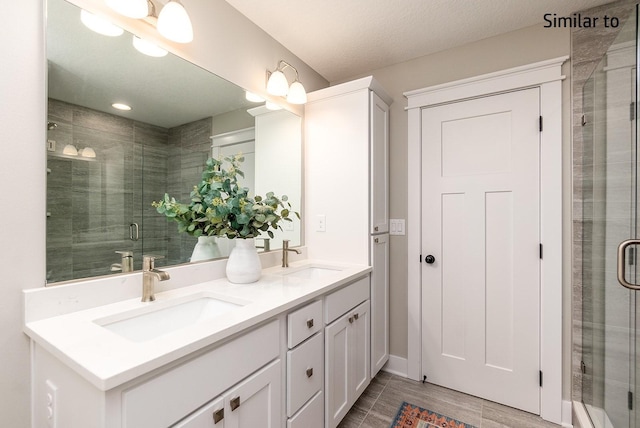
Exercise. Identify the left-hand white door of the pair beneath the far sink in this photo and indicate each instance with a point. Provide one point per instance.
(338, 370)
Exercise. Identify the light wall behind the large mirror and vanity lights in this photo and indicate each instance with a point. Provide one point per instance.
(225, 42)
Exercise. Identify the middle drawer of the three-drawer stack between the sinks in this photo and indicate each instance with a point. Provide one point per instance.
(305, 372)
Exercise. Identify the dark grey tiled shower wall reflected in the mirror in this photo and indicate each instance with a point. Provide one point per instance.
(91, 204)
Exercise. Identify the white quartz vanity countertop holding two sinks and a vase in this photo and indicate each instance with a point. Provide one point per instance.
(107, 359)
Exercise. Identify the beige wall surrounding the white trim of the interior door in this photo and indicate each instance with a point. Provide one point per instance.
(497, 53)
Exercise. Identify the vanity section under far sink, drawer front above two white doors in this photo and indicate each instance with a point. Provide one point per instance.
(347, 349)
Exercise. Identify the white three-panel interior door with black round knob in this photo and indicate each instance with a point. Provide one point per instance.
(480, 224)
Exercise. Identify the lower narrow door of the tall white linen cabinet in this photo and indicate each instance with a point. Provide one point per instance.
(379, 302)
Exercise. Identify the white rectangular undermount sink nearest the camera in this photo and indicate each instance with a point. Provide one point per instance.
(142, 325)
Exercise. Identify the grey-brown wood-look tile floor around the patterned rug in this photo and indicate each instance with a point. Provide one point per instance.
(379, 404)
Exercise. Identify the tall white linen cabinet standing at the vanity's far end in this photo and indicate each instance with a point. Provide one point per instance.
(346, 212)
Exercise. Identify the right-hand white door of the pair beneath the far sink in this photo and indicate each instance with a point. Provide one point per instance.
(360, 356)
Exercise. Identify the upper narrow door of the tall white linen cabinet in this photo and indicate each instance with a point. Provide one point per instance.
(379, 165)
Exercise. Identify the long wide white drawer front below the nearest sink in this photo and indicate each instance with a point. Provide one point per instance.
(195, 382)
